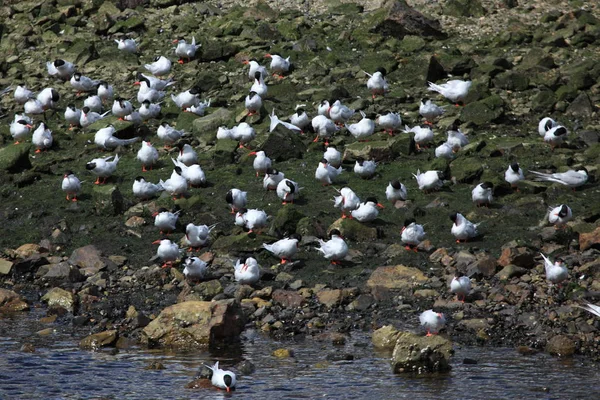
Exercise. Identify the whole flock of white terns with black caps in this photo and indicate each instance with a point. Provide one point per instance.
(330, 119)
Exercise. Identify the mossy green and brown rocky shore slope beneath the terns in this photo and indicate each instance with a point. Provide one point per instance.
(92, 263)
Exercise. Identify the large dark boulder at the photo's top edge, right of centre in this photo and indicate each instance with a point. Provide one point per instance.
(398, 19)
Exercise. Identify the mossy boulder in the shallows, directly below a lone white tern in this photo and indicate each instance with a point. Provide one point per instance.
(421, 354)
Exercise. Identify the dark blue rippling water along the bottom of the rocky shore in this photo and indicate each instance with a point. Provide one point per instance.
(59, 370)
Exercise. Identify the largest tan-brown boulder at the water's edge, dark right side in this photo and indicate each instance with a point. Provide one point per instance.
(195, 323)
